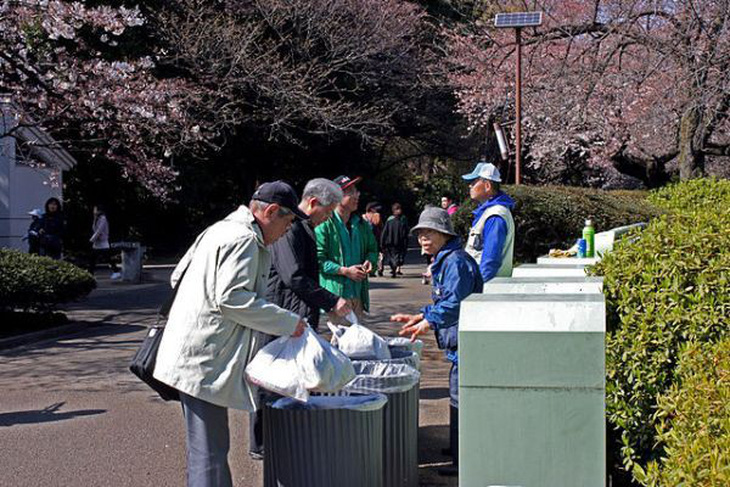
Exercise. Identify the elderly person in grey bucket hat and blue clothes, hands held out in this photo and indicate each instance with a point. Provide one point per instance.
(455, 275)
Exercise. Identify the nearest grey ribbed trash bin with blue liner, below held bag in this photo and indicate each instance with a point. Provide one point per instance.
(329, 441)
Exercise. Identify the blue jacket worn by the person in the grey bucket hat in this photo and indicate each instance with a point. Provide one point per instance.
(455, 275)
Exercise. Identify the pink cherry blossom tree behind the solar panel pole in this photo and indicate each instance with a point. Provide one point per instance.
(626, 86)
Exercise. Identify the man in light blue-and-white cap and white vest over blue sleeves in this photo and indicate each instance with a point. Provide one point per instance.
(492, 235)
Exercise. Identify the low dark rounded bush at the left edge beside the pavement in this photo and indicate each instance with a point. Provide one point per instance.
(30, 282)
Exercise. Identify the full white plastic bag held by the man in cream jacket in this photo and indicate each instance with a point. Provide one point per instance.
(293, 366)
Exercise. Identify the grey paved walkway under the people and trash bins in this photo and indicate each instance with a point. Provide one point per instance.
(72, 415)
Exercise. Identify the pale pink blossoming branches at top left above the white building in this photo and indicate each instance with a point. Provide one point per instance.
(65, 67)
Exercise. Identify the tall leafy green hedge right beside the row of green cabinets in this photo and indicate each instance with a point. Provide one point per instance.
(670, 287)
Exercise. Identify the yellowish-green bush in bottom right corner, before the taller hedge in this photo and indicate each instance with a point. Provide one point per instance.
(694, 421)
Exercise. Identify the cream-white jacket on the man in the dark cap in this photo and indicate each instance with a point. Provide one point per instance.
(216, 323)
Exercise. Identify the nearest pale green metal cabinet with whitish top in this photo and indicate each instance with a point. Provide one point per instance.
(531, 390)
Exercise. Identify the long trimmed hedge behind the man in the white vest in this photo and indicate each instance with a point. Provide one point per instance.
(553, 216)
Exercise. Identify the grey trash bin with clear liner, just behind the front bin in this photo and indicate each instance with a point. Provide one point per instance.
(399, 382)
